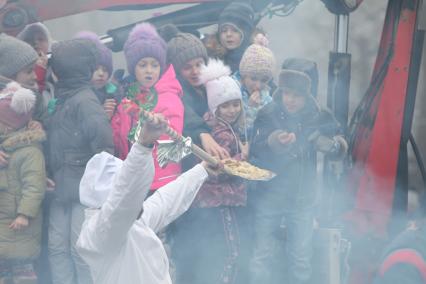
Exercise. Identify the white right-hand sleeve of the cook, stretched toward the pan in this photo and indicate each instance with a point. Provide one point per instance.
(173, 199)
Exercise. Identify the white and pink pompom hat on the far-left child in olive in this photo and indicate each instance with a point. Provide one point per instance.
(16, 105)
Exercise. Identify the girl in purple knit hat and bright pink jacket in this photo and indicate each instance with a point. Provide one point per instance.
(153, 87)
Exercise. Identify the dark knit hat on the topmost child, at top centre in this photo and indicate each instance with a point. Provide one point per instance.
(239, 15)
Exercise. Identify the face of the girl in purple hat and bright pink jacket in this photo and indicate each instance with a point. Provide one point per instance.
(147, 71)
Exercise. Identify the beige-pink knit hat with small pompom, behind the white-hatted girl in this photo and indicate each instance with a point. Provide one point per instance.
(258, 60)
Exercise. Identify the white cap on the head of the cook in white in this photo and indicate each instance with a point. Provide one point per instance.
(98, 179)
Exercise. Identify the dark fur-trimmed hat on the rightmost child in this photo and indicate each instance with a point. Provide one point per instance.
(294, 80)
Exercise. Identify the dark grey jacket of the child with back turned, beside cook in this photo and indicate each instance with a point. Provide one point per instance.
(77, 130)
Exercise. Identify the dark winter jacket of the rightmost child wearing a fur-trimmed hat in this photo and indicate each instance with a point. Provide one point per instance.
(294, 185)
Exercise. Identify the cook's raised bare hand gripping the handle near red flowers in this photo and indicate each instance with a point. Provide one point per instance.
(152, 129)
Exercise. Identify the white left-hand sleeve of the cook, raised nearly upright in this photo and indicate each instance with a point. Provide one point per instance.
(108, 228)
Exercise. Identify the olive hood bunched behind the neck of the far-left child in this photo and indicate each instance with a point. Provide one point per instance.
(20, 139)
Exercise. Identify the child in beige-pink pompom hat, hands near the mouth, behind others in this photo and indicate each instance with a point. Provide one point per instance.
(256, 70)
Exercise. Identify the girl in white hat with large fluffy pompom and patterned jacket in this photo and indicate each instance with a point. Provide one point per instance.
(219, 201)
